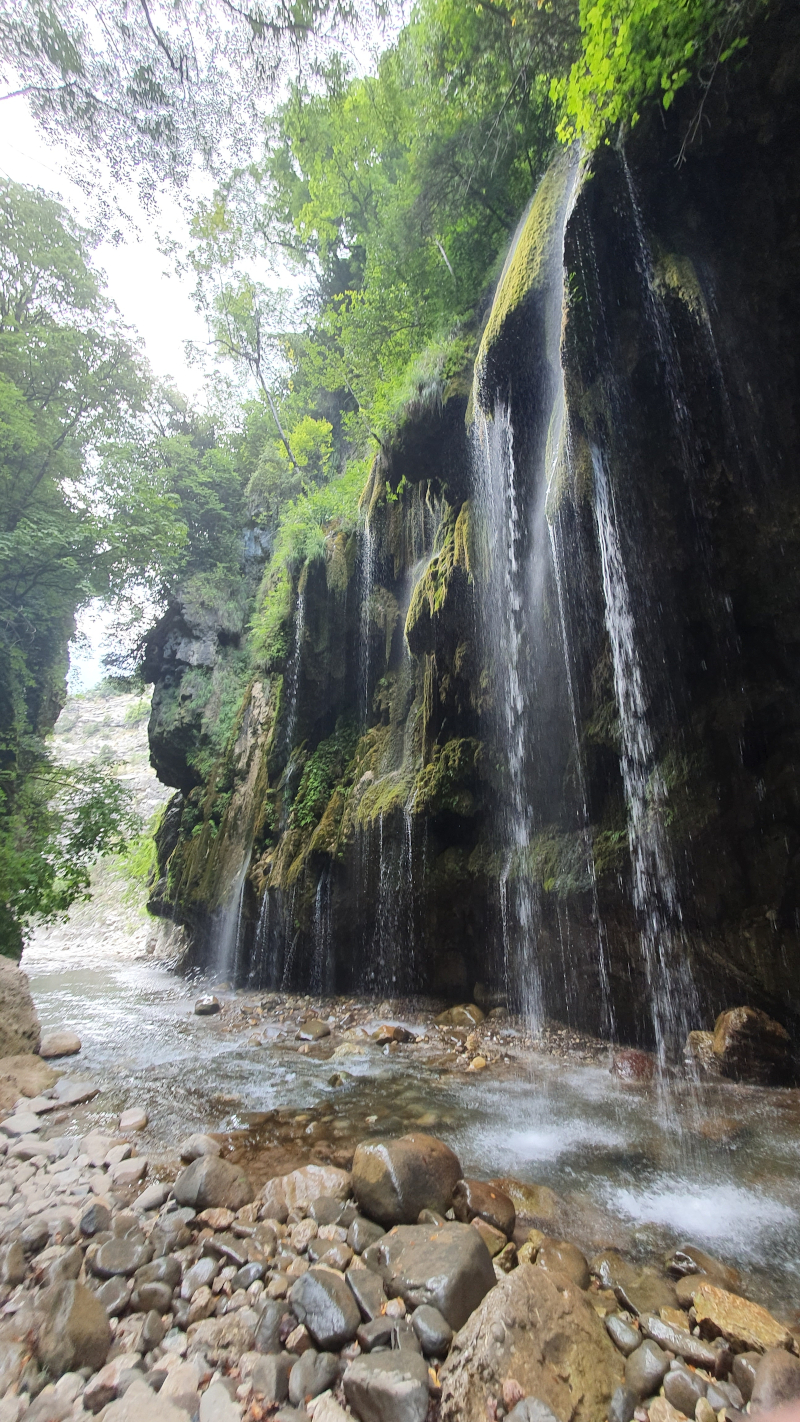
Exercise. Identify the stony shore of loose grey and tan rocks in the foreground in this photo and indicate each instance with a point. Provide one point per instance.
(390, 1292)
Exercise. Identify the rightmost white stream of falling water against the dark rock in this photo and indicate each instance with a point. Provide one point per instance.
(656, 897)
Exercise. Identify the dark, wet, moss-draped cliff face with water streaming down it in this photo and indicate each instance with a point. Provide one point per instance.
(538, 723)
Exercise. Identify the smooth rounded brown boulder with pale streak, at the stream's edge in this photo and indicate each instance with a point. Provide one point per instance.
(393, 1181)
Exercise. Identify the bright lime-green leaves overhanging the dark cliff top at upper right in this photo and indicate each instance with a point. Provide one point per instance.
(640, 50)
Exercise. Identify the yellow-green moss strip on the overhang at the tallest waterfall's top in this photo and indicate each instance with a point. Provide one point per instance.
(529, 264)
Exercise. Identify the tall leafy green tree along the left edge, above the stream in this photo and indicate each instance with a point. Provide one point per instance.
(70, 383)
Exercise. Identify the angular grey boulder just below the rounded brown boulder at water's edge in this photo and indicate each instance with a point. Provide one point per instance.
(447, 1266)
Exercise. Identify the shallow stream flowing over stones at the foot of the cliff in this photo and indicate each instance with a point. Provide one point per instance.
(632, 1167)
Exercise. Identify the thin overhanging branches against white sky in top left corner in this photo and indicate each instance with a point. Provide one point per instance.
(157, 87)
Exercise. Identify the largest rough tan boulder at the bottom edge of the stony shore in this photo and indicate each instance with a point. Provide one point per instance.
(542, 1332)
